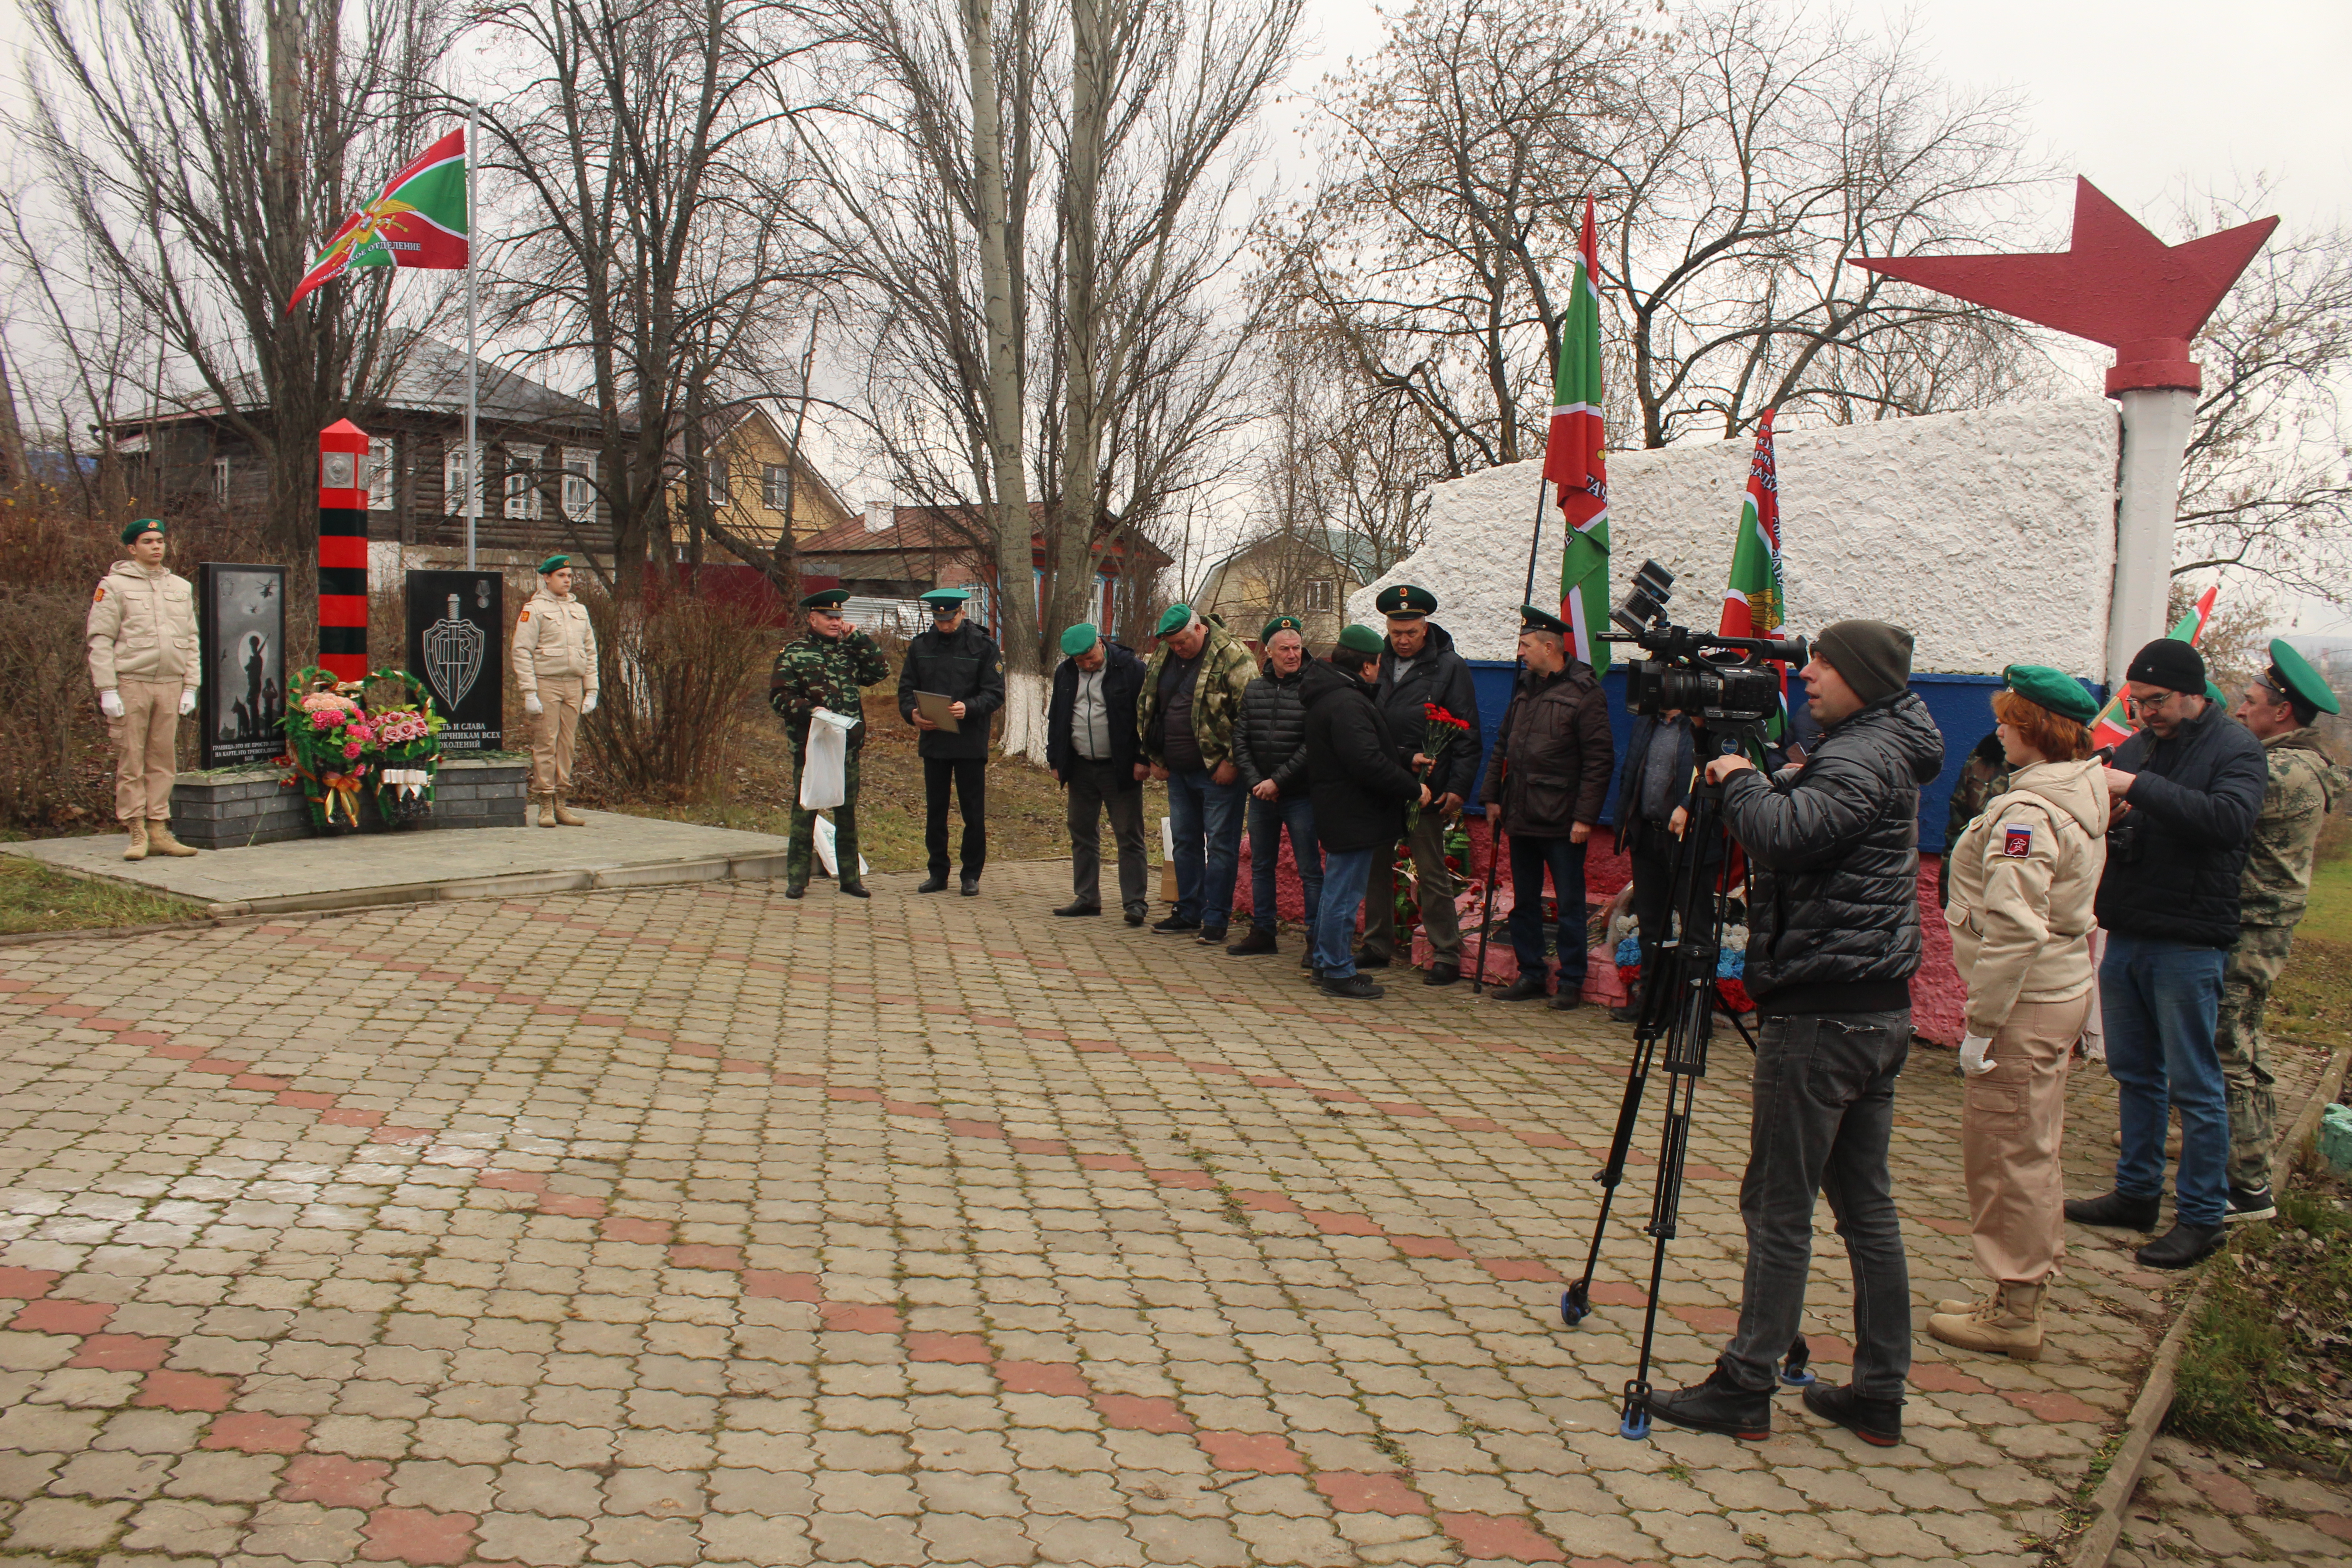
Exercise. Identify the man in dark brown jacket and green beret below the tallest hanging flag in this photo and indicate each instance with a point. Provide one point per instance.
(1546, 789)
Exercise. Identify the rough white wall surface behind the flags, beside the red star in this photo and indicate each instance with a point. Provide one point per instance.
(1989, 535)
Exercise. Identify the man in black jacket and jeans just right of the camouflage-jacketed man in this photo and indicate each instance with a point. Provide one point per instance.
(1271, 749)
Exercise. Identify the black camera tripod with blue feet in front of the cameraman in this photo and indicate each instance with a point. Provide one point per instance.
(1678, 1012)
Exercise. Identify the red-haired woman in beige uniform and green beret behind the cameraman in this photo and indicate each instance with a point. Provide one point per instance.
(2024, 878)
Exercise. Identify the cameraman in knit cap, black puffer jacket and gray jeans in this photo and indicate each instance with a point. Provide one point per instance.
(1833, 944)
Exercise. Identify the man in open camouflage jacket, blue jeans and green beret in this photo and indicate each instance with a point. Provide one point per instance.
(1187, 721)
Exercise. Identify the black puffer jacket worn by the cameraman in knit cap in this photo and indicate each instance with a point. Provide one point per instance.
(1836, 852)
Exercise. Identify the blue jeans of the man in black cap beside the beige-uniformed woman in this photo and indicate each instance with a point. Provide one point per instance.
(2158, 1003)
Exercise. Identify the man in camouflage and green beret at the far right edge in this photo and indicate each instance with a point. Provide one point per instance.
(2283, 711)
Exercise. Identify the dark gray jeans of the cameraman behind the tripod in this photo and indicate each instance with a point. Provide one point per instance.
(1824, 1113)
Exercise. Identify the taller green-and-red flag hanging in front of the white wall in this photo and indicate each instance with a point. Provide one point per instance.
(1575, 460)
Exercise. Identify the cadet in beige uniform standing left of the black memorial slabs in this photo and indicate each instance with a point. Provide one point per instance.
(145, 664)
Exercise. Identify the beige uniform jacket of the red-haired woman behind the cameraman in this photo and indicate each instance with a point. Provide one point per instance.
(2024, 880)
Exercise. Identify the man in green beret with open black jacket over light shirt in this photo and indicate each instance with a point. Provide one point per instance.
(1090, 742)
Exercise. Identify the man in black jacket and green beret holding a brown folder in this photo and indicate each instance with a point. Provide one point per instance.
(961, 662)
